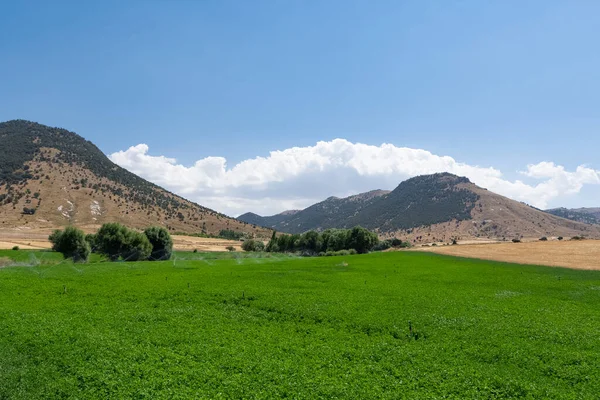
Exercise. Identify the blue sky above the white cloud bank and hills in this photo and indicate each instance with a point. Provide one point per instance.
(496, 84)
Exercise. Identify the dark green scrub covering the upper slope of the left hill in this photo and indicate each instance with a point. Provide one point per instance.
(30, 151)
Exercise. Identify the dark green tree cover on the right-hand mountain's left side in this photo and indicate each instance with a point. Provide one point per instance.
(420, 201)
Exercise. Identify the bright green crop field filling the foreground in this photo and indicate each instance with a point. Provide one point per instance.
(223, 326)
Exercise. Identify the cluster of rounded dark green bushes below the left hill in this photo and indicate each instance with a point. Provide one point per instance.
(115, 241)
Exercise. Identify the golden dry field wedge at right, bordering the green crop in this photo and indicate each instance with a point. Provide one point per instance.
(584, 254)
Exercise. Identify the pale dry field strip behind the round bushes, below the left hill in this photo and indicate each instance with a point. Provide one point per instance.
(38, 239)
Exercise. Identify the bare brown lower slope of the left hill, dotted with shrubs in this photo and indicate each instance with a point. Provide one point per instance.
(60, 199)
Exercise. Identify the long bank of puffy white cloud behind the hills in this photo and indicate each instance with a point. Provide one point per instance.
(297, 177)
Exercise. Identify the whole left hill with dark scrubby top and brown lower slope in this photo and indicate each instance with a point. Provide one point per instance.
(50, 177)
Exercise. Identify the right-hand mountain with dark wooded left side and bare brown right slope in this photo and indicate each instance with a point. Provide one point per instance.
(430, 208)
